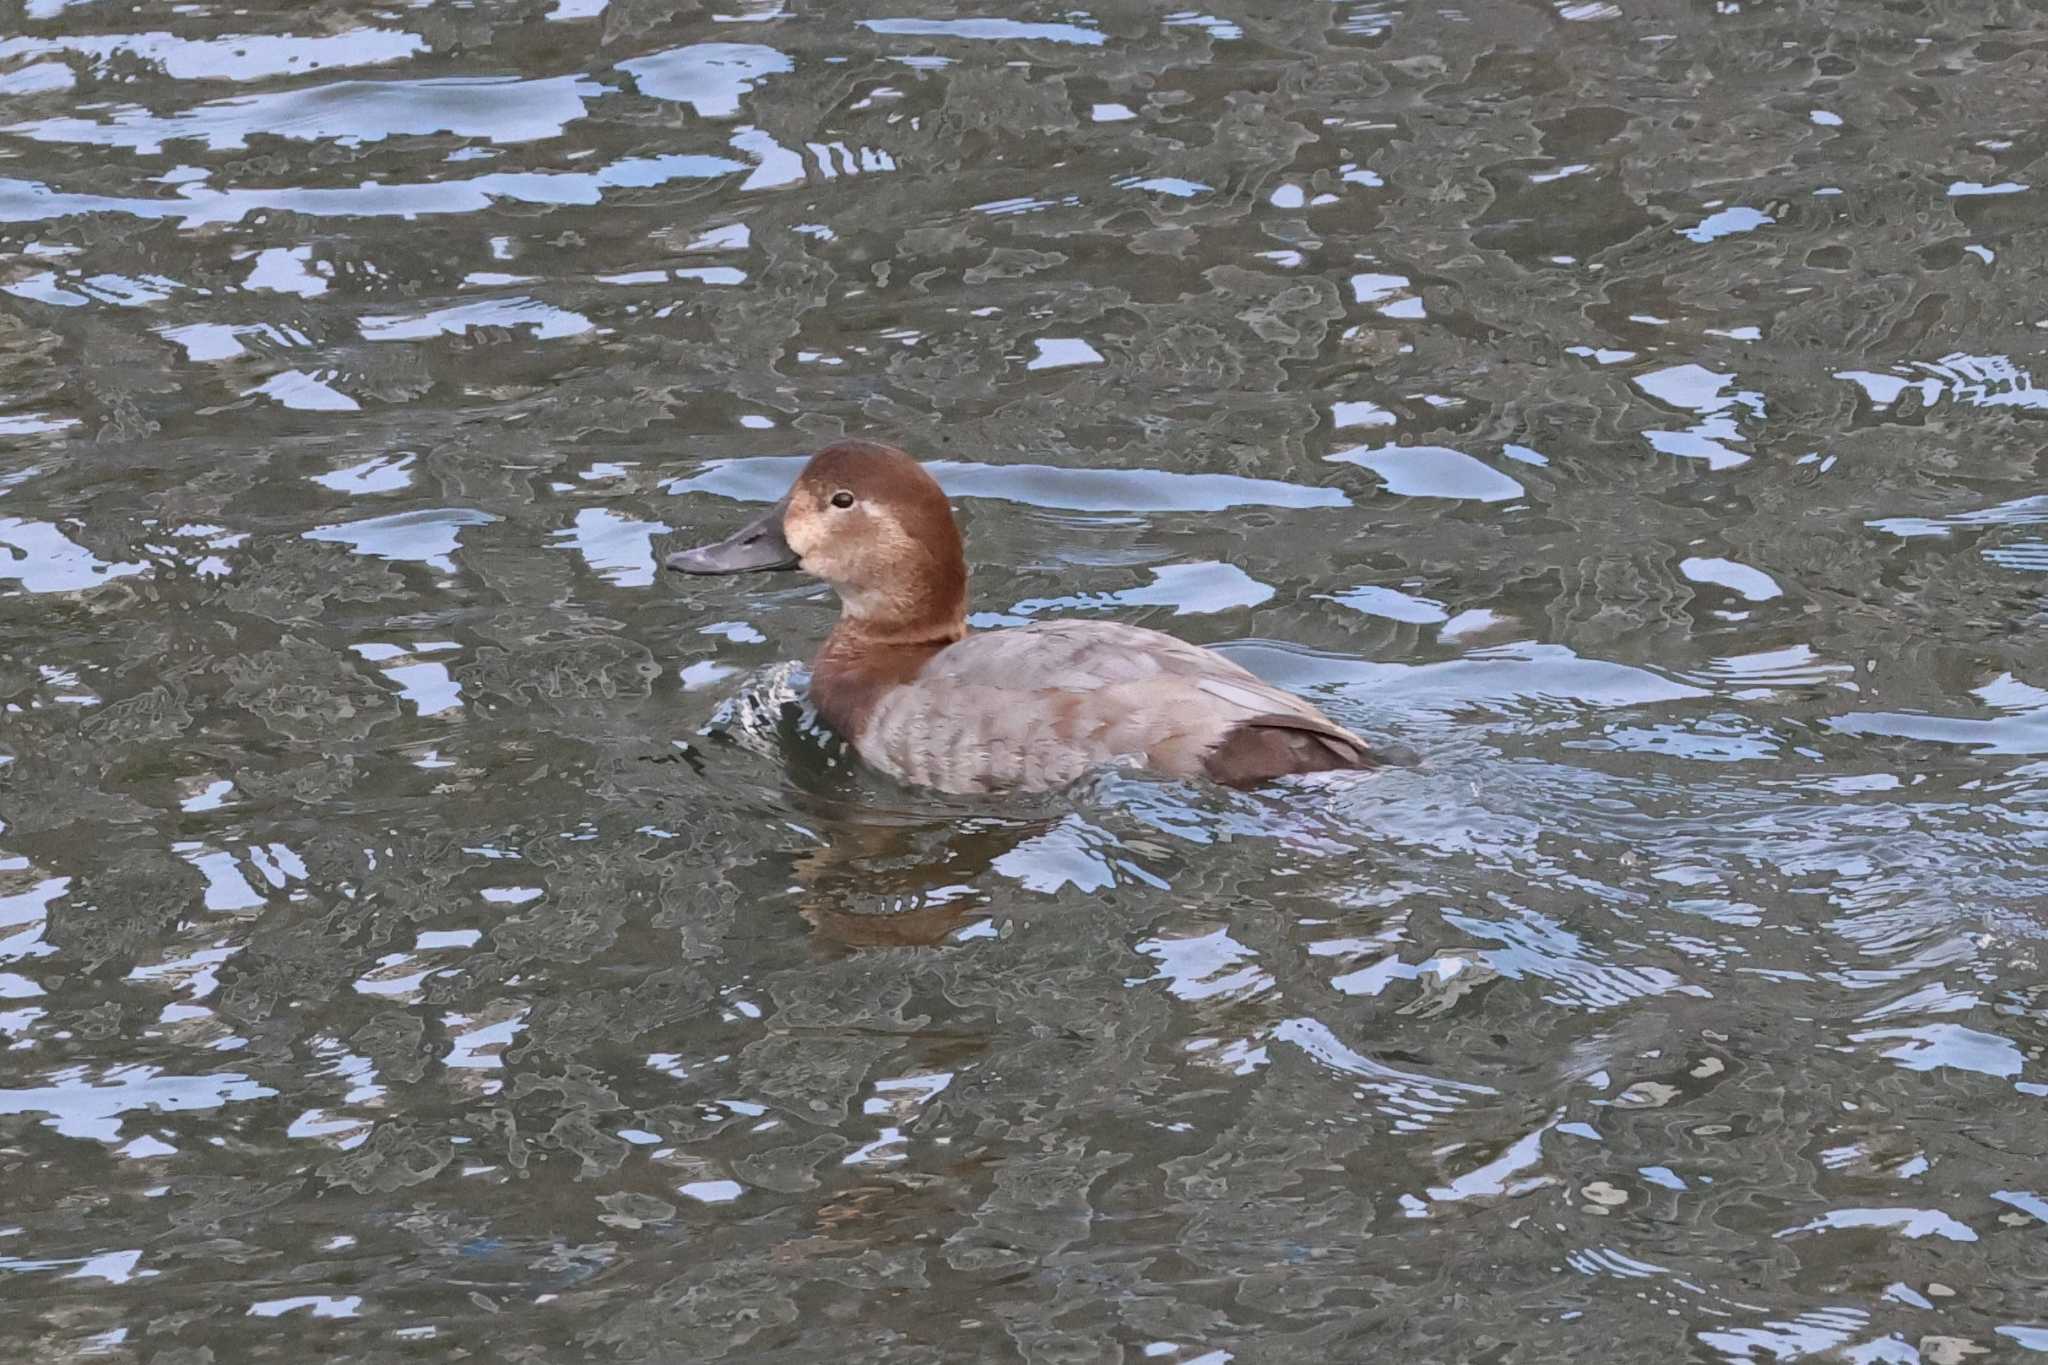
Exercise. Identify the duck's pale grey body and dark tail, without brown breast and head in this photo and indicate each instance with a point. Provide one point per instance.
(1037, 707)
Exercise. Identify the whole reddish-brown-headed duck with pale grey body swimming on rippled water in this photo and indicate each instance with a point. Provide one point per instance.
(1023, 709)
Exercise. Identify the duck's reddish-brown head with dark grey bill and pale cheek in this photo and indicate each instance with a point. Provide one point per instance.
(869, 521)
